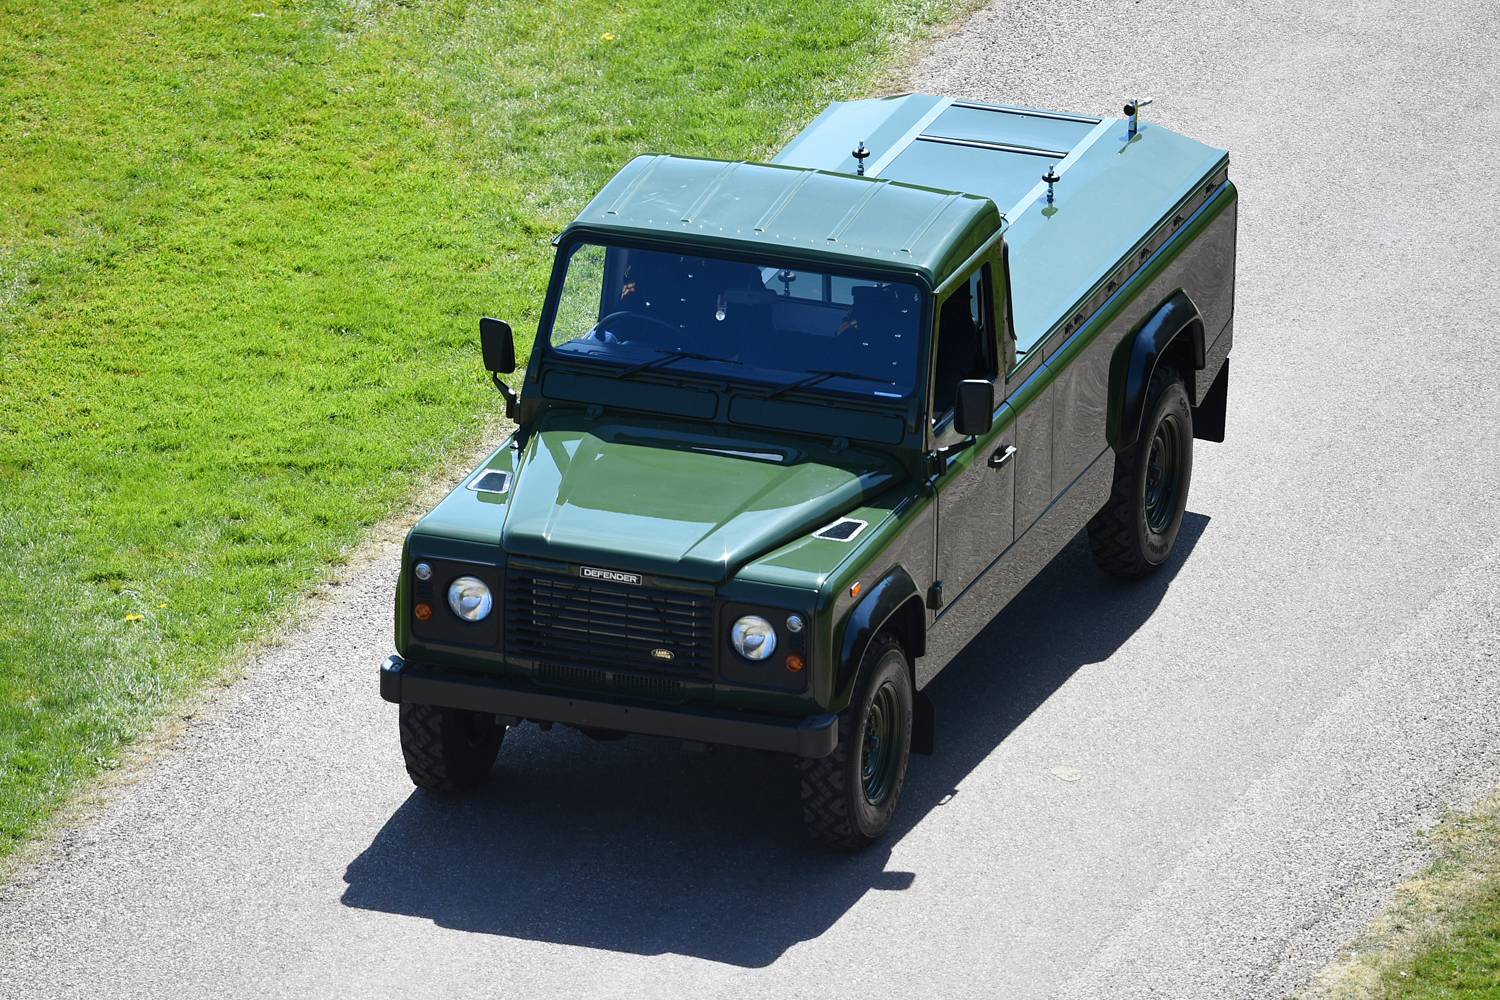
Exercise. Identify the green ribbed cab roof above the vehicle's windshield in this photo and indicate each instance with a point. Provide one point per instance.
(799, 212)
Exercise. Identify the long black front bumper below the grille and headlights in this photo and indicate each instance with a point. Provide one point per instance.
(812, 737)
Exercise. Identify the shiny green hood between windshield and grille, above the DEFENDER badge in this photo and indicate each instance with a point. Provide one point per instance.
(653, 500)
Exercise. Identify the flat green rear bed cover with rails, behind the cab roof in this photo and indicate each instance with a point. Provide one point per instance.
(1114, 187)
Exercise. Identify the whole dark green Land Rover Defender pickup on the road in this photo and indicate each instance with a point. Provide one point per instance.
(794, 433)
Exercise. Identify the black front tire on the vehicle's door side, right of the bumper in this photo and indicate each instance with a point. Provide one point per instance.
(851, 795)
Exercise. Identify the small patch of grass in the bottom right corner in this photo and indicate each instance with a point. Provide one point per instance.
(1441, 938)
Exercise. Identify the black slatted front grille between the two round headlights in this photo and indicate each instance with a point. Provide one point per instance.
(575, 623)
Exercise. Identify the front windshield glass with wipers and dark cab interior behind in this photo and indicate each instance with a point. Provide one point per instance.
(746, 322)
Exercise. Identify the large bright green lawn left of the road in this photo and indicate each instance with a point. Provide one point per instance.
(244, 248)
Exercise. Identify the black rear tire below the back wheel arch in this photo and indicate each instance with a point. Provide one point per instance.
(1141, 522)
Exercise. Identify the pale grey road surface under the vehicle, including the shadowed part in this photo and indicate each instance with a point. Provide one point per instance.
(1198, 786)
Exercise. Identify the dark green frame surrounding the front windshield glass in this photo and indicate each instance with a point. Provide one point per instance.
(569, 244)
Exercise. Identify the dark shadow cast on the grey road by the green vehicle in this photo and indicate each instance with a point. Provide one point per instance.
(637, 846)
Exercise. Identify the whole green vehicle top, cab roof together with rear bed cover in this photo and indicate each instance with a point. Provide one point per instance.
(943, 176)
